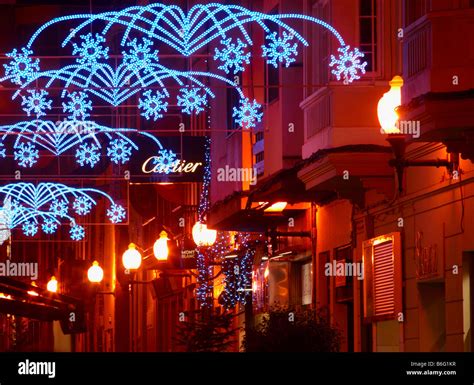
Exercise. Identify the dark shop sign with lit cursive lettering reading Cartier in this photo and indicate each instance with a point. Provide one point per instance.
(182, 159)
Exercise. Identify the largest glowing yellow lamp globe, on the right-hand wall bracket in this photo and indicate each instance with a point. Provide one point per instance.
(387, 115)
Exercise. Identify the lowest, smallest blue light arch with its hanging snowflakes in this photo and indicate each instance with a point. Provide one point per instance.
(47, 204)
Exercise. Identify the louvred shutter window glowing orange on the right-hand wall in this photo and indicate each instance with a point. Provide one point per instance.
(382, 277)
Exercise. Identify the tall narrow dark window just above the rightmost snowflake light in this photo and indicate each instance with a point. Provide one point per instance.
(368, 32)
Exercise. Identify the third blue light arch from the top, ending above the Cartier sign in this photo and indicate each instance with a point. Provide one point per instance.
(67, 135)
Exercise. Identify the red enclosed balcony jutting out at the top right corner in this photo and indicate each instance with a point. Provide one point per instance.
(439, 87)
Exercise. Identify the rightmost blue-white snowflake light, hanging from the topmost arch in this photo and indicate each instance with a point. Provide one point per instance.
(348, 64)
